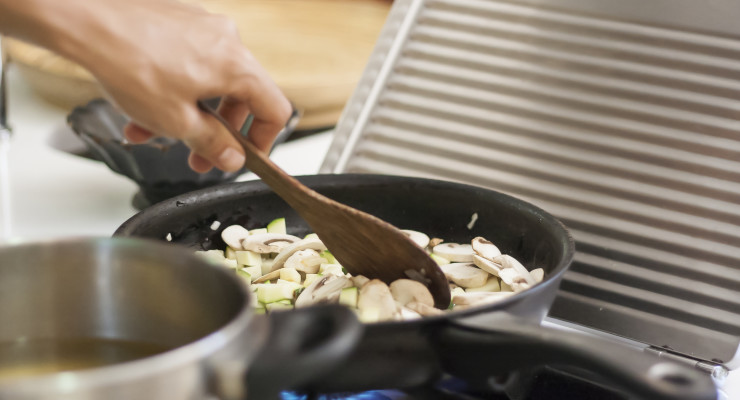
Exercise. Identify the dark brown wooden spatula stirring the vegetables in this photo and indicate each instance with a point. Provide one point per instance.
(363, 244)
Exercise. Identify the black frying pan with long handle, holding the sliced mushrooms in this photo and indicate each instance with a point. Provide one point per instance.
(489, 340)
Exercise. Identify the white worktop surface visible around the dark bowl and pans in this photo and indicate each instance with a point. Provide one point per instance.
(55, 194)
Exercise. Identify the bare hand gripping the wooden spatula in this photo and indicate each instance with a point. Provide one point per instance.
(156, 58)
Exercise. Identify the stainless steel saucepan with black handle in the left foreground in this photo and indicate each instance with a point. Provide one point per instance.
(136, 319)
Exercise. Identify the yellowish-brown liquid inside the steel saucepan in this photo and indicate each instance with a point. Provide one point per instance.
(31, 357)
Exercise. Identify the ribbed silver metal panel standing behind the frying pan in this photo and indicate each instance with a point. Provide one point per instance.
(627, 131)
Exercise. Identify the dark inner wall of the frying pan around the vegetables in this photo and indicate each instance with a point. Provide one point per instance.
(437, 208)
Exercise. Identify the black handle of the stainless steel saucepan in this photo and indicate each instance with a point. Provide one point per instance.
(303, 345)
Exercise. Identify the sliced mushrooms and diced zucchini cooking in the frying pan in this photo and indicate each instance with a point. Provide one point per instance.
(286, 271)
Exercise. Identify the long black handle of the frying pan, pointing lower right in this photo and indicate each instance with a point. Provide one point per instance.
(512, 345)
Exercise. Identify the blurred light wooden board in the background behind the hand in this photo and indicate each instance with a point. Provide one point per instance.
(314, 49)
